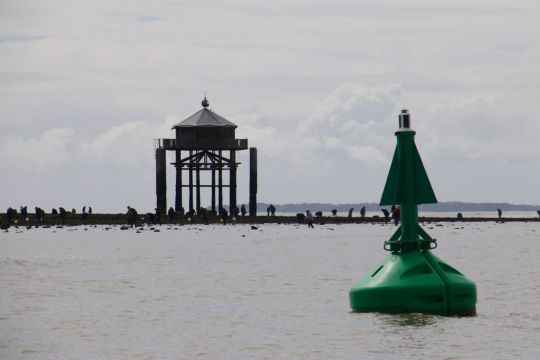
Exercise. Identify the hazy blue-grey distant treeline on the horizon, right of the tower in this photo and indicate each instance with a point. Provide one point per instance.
(450, 206)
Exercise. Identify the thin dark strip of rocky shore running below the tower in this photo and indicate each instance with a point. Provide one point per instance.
(121, 219)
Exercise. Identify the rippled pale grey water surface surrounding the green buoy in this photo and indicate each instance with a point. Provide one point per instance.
(276, 292)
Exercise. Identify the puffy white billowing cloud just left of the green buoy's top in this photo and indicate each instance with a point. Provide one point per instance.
(354, 120)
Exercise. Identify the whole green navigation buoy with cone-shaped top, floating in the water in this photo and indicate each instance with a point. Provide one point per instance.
(411, 278)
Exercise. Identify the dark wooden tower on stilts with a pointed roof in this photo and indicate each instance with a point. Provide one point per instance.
(205, 141)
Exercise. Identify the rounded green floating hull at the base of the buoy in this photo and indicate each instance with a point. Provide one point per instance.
(414, 282)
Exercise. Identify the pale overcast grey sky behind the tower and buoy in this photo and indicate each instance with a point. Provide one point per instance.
(315, 86)
